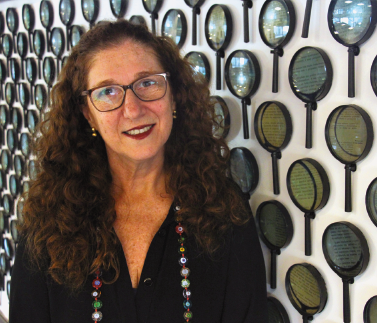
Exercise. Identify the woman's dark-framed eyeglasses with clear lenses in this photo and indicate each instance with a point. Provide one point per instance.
(111, 97)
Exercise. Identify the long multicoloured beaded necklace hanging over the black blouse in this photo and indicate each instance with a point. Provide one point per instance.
(185, 283)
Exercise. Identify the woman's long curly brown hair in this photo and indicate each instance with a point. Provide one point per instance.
(69, 212)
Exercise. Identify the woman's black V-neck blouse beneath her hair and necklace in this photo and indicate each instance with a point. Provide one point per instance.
(229, 287)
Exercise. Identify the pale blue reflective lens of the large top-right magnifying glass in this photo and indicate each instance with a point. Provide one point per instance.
(351, 20)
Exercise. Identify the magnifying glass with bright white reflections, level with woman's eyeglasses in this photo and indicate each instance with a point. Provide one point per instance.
(242, 76)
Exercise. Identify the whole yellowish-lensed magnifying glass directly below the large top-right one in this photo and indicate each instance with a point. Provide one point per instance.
(349, 137)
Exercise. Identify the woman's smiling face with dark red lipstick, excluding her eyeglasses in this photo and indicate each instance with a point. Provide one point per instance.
(137, 131)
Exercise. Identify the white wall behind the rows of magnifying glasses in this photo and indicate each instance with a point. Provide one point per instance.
(319, 36)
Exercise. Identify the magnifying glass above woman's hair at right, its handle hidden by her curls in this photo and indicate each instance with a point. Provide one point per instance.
(174, 26)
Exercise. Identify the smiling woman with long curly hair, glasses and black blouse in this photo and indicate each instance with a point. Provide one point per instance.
(127, 151)
